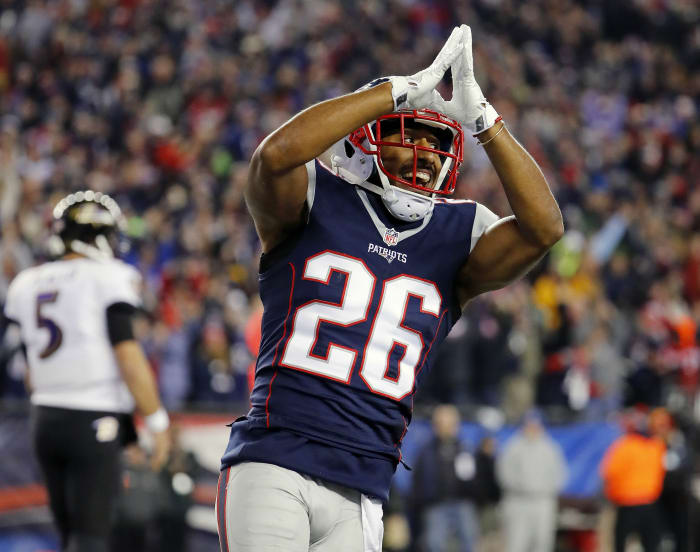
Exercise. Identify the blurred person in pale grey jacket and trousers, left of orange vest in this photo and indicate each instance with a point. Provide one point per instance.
(532, 471)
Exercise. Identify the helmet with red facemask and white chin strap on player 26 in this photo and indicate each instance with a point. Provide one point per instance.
(413, 200)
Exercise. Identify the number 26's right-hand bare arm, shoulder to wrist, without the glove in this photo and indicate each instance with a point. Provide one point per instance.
(511, 246)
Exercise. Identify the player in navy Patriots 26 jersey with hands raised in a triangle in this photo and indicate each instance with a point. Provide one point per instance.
(366, 266)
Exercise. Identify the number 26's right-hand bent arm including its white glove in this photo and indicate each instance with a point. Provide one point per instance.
(511, 246)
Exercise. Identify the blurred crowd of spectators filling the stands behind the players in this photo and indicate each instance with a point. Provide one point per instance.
(161, 103)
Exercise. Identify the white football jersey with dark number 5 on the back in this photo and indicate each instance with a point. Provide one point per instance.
(61, 309)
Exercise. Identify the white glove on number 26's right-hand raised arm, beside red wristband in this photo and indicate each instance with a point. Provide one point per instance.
(468, 105)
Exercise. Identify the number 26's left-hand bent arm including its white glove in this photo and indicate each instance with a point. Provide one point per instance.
(277, 181)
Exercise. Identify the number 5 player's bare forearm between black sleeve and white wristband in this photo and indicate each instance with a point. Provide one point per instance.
(137, 376)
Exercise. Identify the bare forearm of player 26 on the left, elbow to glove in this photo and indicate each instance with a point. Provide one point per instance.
(311, 132)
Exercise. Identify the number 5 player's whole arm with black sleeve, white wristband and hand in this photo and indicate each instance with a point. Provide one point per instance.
(138, 377)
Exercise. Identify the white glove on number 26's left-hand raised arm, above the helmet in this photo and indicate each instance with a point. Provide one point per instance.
(418, 91)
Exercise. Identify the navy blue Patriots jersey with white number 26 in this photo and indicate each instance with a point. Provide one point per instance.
(355, 306)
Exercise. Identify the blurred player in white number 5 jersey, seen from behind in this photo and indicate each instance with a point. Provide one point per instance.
(86, 370)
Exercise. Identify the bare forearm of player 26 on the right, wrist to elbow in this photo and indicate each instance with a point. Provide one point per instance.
(535, 209)
